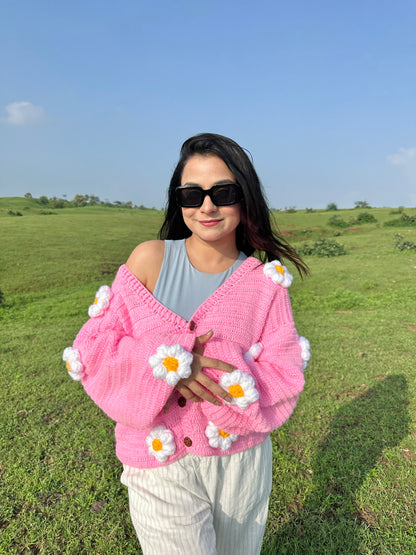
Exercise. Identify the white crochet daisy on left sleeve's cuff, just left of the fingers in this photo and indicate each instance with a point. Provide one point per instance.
(171, 363)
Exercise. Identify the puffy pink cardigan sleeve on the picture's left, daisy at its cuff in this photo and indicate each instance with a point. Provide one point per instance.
(116, 370)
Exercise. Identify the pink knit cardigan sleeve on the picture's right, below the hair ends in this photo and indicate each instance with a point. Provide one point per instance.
(276, 370)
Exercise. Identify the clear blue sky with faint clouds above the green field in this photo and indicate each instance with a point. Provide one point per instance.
(97, 97)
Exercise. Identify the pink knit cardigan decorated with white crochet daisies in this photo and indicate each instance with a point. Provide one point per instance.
(128, 353)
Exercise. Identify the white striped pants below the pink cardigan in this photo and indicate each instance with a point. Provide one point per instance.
(202, 505)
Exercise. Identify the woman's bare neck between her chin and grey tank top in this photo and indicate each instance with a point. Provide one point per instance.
(211, 257)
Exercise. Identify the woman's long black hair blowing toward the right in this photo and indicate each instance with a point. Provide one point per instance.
(254, 232)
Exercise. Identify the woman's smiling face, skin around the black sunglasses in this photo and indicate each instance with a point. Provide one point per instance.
(209, 222)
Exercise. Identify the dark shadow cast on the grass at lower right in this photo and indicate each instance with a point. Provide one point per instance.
(329, 521)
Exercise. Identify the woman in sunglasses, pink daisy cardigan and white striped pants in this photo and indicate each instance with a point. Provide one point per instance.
(194, 353)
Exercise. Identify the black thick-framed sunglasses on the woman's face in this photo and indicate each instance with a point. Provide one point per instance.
(221, 195)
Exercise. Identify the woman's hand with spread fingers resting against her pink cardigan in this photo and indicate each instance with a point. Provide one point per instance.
(199, 386)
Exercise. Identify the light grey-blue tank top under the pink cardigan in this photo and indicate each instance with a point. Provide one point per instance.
(181, 287)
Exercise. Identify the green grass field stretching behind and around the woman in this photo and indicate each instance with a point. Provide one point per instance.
(344, 464)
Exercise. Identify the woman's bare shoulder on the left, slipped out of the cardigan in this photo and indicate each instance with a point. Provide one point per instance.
(145, 262)
